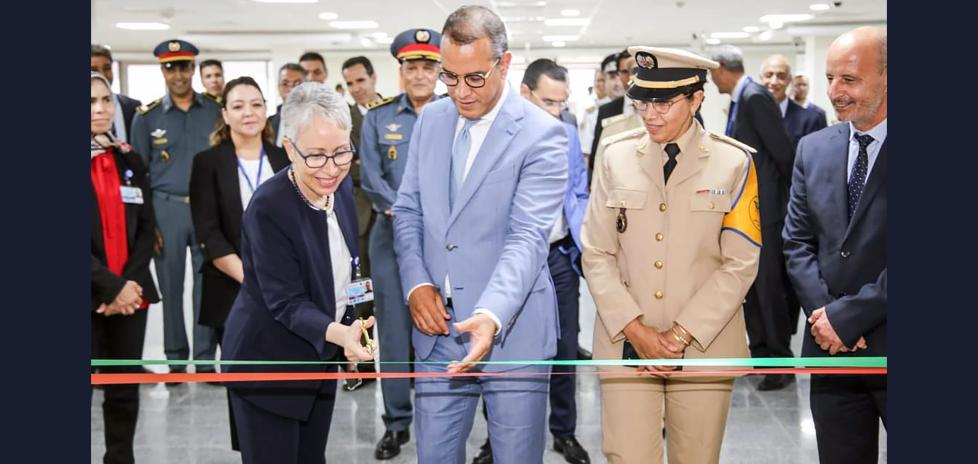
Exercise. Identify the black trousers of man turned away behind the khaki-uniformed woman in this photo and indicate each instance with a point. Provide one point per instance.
(767, 308)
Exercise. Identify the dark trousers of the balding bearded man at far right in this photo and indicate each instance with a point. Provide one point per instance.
(847, 411)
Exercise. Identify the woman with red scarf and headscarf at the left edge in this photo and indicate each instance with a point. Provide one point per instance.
(122, 287)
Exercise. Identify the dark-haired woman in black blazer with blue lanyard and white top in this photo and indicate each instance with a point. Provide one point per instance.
(222, 182)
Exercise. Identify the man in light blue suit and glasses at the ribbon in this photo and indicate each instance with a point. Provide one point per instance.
(471, 238)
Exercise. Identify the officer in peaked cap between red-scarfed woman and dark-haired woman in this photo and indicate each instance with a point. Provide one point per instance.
(168, 133)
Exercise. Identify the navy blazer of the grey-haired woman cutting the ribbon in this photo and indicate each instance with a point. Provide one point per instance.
(287, 298)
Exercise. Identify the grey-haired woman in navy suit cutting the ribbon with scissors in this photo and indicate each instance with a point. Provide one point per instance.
(299, 256)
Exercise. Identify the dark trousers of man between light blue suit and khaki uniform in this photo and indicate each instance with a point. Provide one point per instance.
(563, 404)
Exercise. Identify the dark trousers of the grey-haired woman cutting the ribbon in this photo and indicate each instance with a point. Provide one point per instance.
(268, 438)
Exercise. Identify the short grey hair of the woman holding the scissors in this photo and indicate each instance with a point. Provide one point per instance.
(311, 99)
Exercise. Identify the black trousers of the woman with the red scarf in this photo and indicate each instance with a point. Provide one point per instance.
(119, 337)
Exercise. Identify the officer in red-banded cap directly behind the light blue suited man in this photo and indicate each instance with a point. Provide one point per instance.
(385, 137)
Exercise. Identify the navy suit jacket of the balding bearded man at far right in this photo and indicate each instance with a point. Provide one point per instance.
(832, 261)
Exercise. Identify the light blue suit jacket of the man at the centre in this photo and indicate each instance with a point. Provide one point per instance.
(494, 242)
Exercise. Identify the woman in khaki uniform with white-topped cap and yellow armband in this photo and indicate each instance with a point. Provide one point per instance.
(671, 243)
